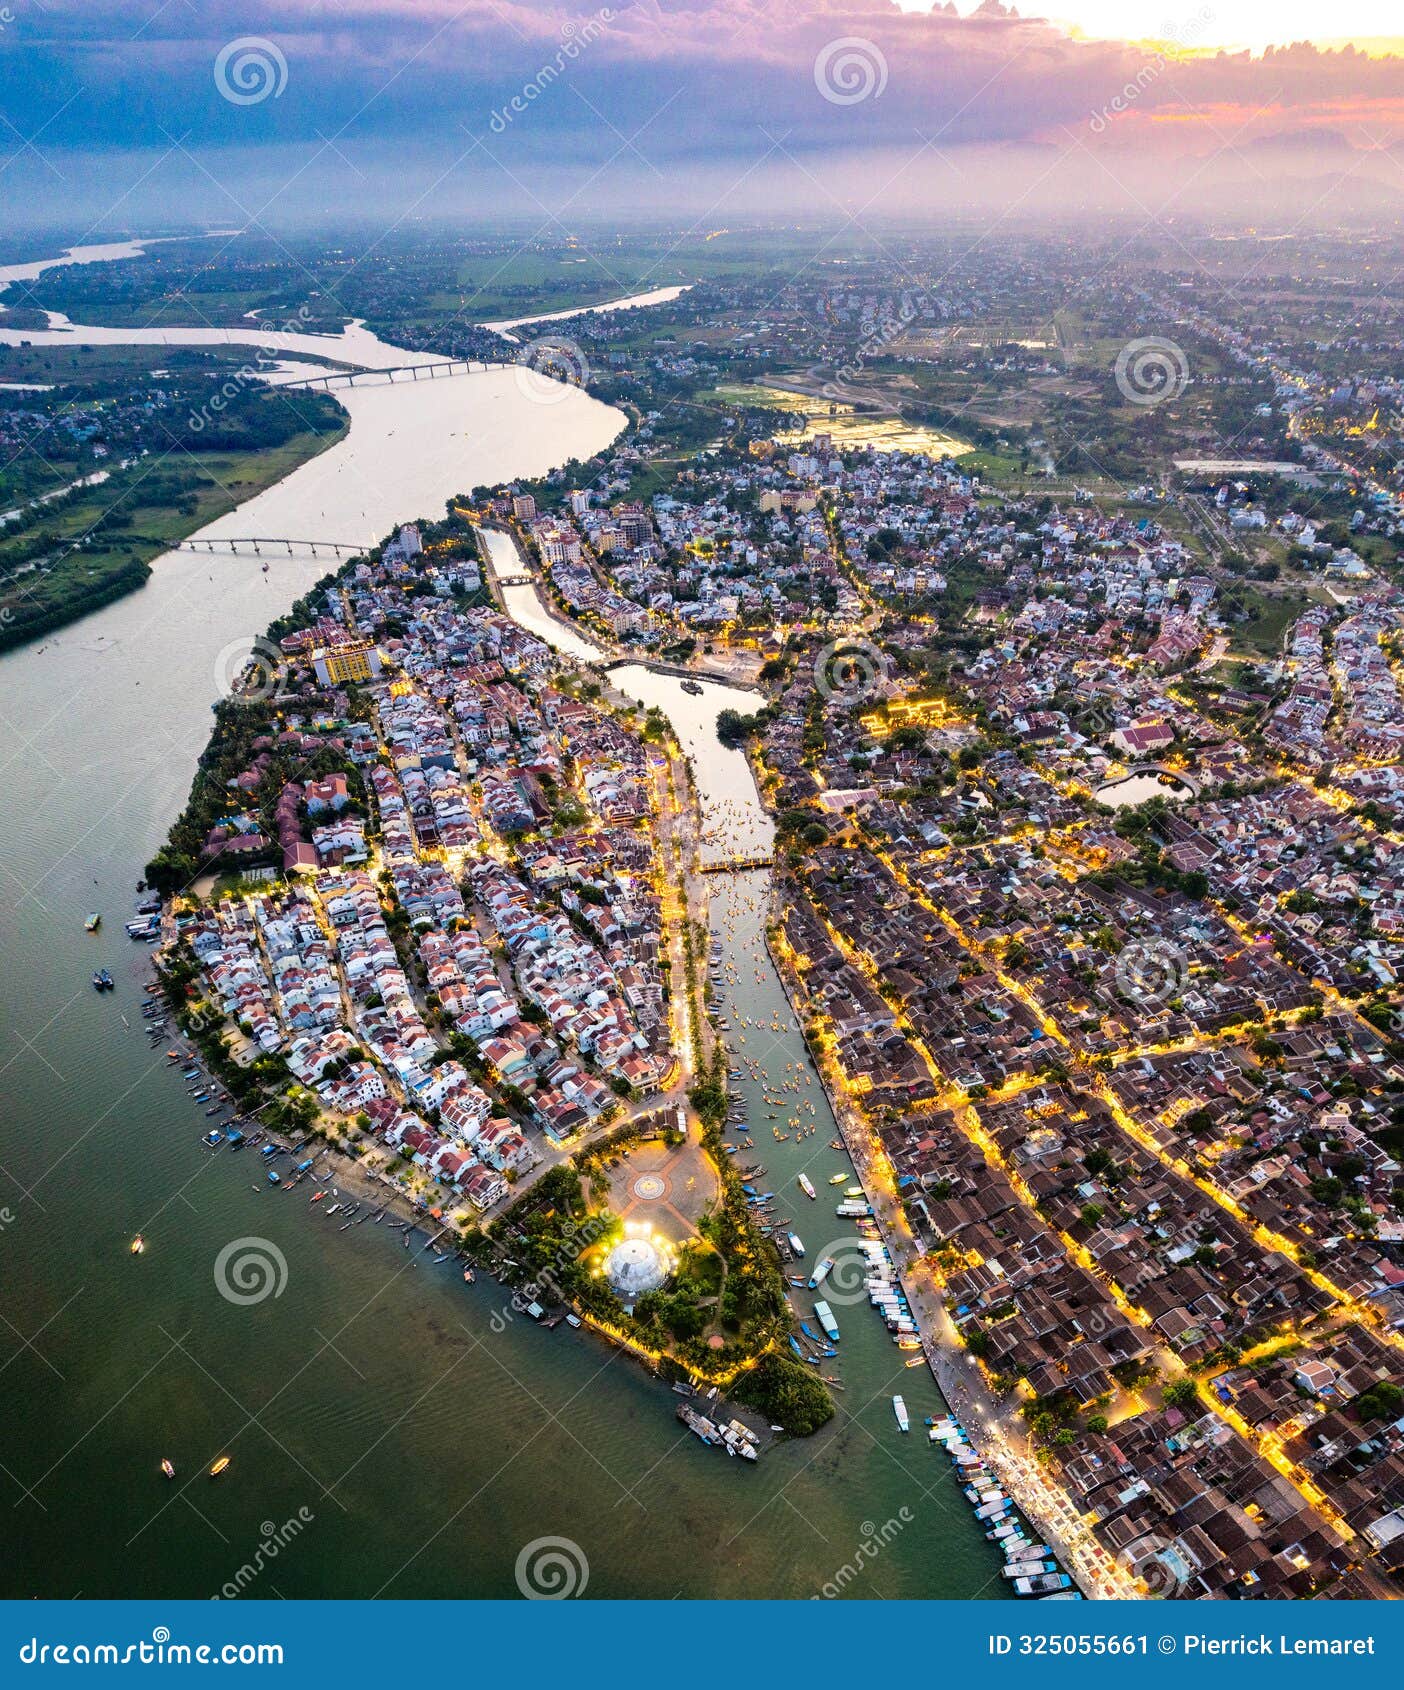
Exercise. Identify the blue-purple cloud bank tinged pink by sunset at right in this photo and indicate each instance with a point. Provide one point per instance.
(665, 85)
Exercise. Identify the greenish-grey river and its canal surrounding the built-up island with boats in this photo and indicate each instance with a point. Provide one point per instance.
(373, 1402)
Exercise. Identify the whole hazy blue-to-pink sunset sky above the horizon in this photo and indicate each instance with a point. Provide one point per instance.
(114, 109)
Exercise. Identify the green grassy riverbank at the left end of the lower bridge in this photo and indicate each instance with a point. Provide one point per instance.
(117, 562)
